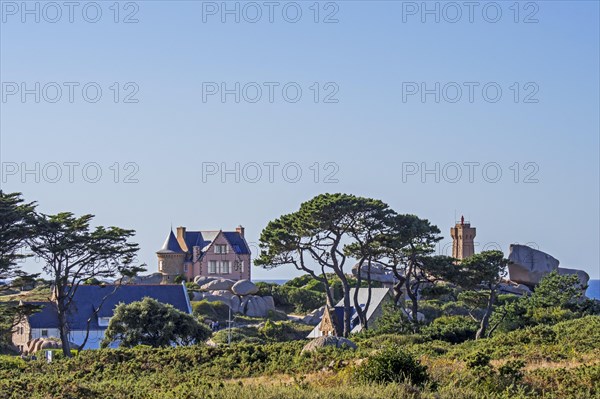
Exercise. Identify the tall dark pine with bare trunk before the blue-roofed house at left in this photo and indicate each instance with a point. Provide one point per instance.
(73, 252)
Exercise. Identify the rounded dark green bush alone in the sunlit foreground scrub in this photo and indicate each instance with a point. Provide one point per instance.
(392, 365)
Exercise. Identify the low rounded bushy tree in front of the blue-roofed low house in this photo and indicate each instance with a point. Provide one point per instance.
(149, 322)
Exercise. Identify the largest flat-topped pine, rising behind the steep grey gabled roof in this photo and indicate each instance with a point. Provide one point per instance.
(319, 236)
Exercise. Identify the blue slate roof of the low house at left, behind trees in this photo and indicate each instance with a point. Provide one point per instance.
(89, 297)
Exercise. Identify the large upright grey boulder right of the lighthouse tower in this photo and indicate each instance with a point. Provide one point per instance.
(528, 266)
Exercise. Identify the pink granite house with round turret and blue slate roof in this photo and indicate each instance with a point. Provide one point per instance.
(205, 253)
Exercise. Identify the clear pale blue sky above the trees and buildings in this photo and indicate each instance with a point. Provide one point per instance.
(373, 56)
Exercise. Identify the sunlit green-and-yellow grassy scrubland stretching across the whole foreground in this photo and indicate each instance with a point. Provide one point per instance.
(561, 361)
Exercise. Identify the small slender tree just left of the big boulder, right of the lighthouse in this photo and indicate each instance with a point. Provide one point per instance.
(483, 273)
